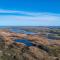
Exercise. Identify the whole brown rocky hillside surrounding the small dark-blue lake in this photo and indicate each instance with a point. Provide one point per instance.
(41, 49)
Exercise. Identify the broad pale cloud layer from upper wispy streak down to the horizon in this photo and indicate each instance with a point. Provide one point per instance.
(33, 19)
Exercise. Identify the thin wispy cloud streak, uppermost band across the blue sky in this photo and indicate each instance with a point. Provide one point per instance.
(29, 13)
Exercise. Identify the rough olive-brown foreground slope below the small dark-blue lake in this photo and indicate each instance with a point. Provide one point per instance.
(21, 52)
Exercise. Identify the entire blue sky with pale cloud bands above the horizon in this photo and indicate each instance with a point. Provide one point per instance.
(29, 12)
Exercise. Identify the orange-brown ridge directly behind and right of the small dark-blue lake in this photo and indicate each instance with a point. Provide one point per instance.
(38, 39)
